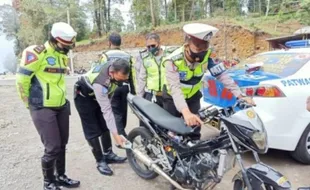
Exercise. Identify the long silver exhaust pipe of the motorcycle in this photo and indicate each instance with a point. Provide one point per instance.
(149, 162)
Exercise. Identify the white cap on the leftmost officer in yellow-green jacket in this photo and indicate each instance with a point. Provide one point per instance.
(63, 33)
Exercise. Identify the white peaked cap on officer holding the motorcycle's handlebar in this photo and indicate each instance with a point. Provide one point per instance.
(200, 31)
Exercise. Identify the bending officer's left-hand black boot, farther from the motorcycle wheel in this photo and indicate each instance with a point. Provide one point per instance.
(102, 165)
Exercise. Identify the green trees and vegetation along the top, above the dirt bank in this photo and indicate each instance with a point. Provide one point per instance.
(31, 22)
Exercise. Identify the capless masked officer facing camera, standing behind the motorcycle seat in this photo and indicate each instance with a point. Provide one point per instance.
(150, 78)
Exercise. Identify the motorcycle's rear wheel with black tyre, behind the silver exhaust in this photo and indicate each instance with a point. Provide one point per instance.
(146, 136)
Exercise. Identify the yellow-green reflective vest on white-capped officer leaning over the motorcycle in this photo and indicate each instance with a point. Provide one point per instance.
(191, 80)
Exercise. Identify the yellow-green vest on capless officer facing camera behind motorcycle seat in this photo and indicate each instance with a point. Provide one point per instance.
(155, 77)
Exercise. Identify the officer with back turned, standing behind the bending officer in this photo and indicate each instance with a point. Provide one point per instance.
(119, 98)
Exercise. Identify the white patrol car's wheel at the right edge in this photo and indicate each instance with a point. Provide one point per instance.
(302, 152)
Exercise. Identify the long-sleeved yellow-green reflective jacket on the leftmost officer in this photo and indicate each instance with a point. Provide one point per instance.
(41, 77)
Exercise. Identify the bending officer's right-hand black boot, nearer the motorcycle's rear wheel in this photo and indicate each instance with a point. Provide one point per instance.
(109, 155)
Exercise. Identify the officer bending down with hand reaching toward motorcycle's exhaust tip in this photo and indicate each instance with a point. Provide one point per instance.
(93, 92)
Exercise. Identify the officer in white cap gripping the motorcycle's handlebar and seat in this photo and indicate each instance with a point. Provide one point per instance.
(184, 69)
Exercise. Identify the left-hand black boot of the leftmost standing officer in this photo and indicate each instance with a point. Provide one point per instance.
(48, 174)
